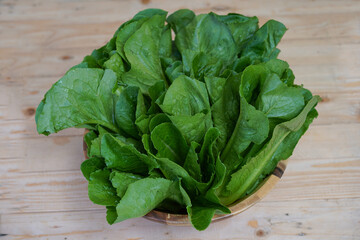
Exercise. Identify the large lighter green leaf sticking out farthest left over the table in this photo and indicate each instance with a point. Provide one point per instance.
(82, 96)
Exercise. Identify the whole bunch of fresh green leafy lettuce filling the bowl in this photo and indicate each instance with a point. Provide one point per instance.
(188, 125)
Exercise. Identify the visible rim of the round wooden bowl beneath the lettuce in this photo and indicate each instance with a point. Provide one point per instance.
(237, 207)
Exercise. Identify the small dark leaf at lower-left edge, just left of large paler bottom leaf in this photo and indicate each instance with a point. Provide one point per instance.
(101, 191)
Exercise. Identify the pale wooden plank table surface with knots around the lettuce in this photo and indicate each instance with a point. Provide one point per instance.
(42, 192)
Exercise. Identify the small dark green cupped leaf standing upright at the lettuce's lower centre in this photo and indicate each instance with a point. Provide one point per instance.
(169, 142)
